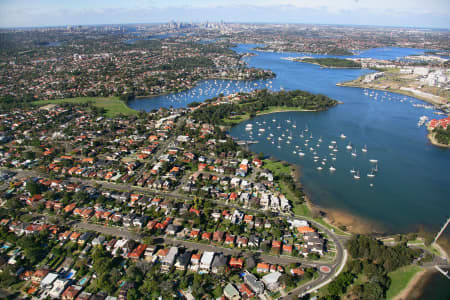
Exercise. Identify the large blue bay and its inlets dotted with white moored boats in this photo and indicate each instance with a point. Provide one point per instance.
(412, 185)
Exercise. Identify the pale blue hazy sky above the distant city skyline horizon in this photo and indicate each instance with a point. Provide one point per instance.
(410, 13)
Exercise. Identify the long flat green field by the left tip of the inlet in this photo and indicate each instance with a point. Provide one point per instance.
(112, 105)
